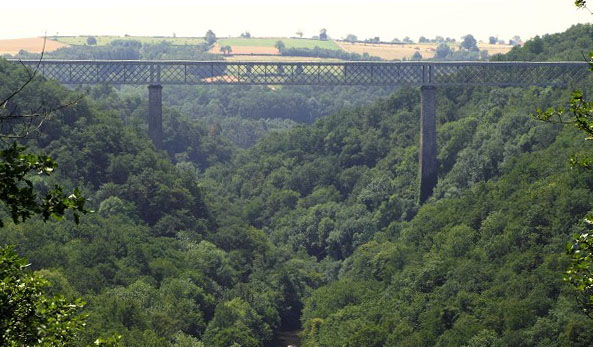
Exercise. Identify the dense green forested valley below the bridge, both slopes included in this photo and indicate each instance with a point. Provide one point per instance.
(296, 209)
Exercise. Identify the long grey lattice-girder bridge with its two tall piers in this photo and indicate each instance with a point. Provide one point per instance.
(427, 75)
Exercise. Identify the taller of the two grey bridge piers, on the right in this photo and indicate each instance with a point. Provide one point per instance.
(428, 142)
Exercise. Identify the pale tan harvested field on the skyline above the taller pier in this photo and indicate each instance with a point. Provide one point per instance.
(405, 51)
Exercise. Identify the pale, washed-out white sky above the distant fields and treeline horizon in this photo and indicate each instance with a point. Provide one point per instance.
(383, 18)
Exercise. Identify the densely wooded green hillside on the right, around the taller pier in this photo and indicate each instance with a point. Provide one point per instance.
(481, 264)
